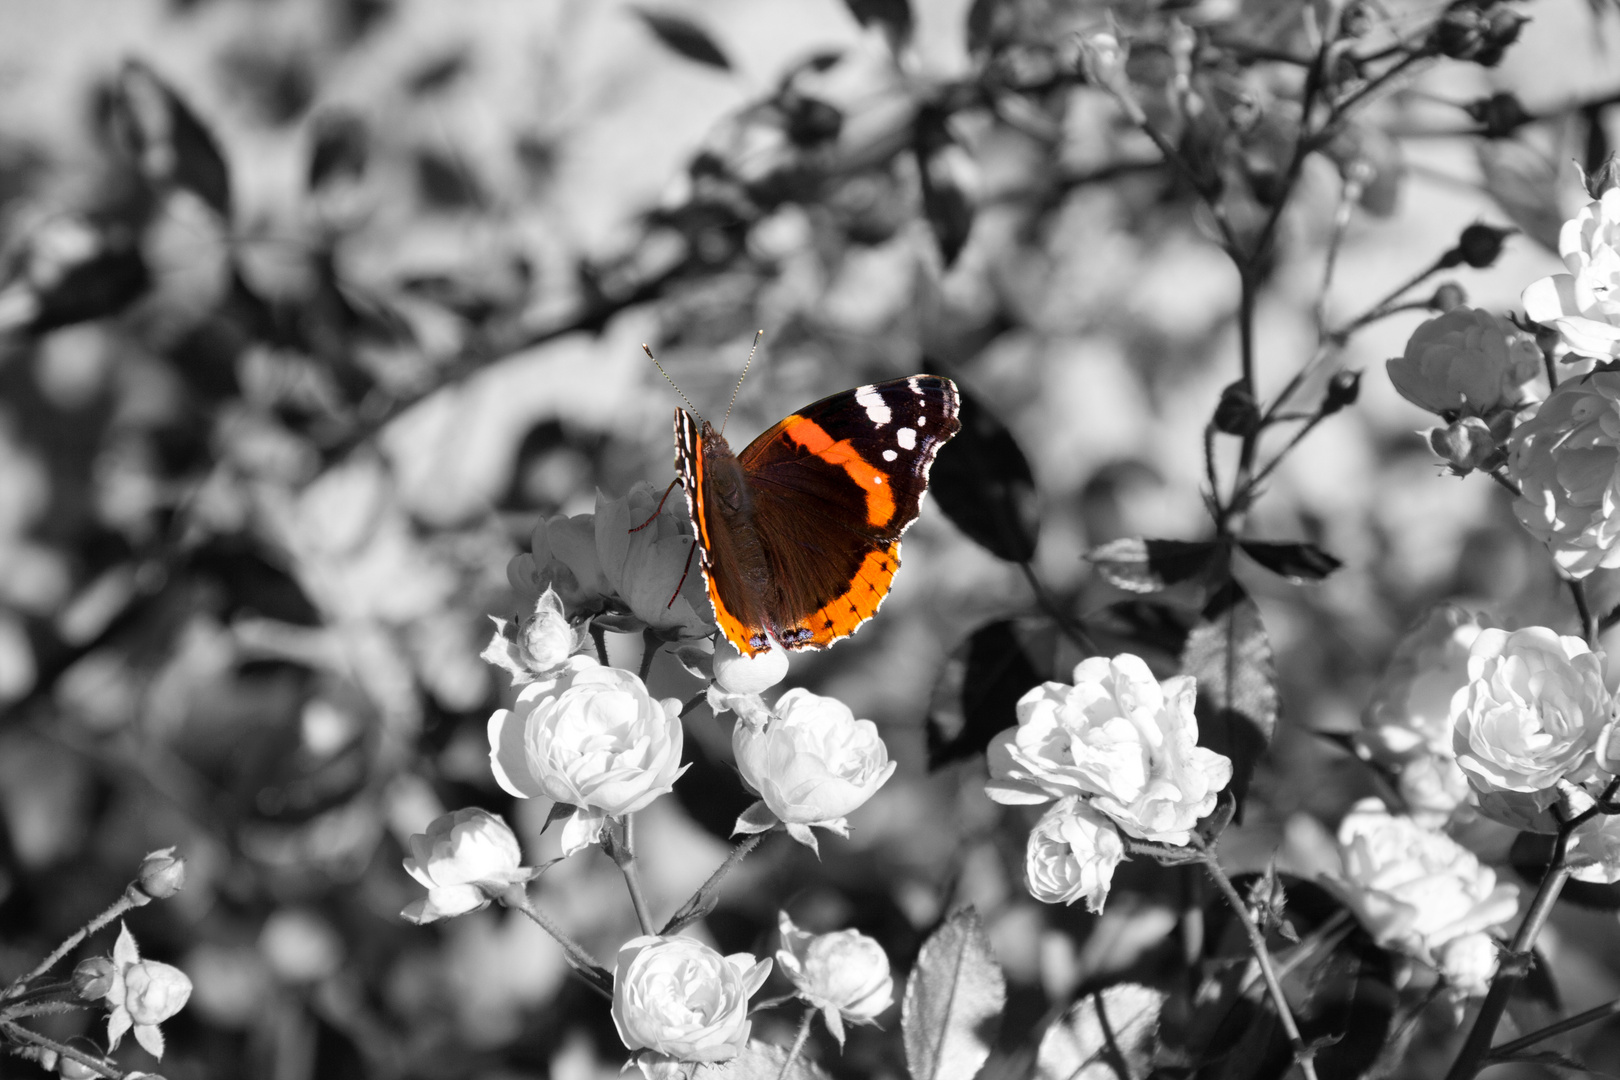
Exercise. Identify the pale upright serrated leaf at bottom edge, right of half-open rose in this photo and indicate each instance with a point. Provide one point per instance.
(953, 1001)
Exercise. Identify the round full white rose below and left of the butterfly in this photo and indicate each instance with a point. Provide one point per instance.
(590, 738)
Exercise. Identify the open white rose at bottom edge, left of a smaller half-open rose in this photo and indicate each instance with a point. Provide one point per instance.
(683, 1001)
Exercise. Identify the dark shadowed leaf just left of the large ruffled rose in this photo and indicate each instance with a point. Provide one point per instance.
(978, 692)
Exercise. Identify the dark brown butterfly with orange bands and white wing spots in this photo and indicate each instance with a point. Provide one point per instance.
(799, 535)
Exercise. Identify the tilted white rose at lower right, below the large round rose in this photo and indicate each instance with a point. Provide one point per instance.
(1413, 888)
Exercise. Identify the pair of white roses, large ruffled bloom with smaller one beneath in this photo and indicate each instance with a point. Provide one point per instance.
(1119, 750)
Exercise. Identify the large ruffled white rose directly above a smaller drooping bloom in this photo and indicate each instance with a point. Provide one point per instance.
(1119, 736)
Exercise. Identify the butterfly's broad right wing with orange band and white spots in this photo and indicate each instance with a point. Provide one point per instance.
(833, 487)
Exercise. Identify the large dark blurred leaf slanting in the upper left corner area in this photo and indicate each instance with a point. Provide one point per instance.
(171, 143)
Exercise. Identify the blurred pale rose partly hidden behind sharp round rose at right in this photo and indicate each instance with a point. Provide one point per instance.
(1407, 726)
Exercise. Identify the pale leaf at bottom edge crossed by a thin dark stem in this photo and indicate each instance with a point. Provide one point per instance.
(1107, 1035)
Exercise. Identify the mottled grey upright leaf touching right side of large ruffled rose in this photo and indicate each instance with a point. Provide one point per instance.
(1232, 658)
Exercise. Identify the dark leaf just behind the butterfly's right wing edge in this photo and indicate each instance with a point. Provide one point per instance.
(986, 487)
